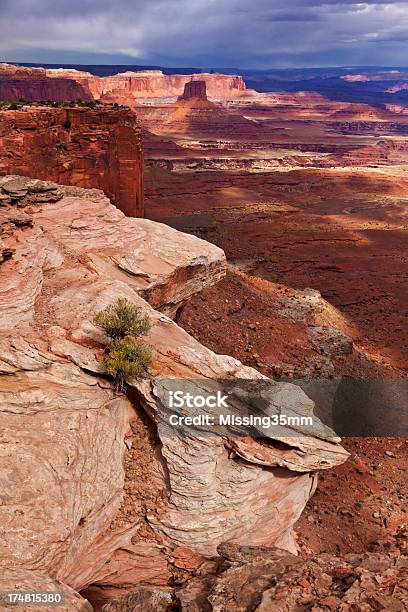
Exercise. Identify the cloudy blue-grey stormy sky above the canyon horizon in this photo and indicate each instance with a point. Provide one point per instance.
(205, 33)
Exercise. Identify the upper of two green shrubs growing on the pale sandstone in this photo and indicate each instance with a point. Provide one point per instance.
(123, 319)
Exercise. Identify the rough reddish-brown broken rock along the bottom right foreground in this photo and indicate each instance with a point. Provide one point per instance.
(270, 580)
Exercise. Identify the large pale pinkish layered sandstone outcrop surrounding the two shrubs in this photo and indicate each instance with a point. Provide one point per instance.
(103, 493)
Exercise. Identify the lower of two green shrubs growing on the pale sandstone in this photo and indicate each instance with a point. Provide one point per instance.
(127, 359)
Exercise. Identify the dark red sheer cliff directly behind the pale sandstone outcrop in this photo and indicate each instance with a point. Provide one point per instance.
(80, 146)
